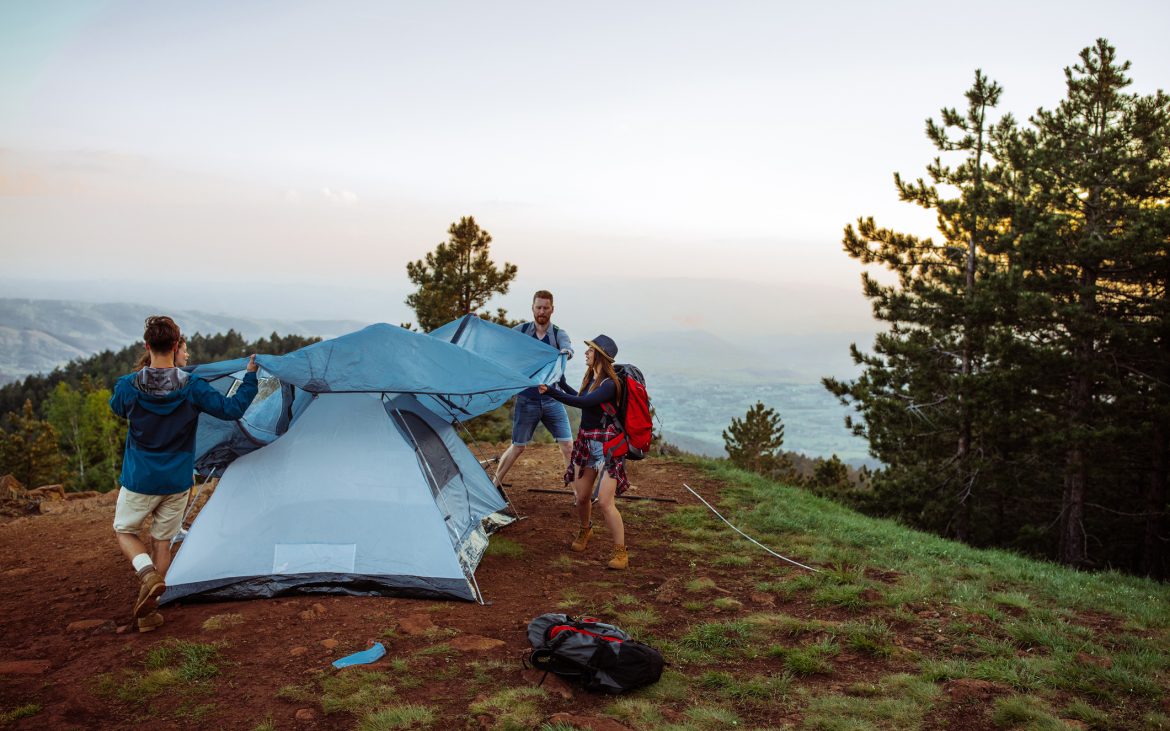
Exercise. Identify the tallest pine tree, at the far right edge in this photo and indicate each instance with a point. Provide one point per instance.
(1091, 235)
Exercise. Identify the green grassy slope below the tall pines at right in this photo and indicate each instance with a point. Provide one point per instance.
(1047, 647)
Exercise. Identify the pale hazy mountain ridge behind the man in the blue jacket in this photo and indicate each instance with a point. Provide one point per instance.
(40, 335)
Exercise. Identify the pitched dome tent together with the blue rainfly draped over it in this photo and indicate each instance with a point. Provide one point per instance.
(346, 475)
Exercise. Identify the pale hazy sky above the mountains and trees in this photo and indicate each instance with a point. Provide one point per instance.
(283, 141)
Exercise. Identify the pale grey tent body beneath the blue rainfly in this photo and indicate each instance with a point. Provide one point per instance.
(366, 494)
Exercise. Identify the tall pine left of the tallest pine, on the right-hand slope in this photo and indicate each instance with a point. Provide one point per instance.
(923, 394)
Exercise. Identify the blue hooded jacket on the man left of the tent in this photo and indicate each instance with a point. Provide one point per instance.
(163, 406)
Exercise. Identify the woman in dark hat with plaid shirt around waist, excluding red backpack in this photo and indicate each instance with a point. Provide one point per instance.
(600, 388)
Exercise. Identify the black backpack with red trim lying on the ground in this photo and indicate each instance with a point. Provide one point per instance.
(598, 657)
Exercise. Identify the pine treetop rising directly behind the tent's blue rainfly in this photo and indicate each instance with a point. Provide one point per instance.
(458, 279)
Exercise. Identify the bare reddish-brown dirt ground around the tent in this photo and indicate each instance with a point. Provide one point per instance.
(67, 595)
